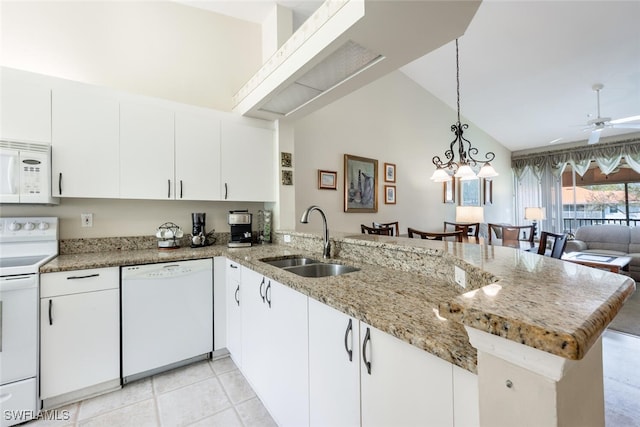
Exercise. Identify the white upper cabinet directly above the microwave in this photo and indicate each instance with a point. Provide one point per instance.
(25, 107)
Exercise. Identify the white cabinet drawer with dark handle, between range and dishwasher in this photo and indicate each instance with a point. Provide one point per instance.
(77, 281)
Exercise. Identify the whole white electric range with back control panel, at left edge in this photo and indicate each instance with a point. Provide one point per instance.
(26, 243)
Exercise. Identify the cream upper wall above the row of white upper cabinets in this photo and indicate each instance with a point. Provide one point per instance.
(155, 48)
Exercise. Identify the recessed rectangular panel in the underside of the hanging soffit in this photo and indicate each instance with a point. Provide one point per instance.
(347, 61)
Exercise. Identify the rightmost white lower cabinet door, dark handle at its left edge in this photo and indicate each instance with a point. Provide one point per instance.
(402, 385)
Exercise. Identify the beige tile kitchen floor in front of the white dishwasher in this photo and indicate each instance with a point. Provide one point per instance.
(207, 393)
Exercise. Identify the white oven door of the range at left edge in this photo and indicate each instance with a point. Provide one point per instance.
(18, 327)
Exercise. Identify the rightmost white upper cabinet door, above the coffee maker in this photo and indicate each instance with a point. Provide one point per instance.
(248, 166)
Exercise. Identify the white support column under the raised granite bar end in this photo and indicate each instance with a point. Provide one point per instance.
(520, 385)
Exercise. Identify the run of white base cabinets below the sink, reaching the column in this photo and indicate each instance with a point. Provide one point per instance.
(313, 365)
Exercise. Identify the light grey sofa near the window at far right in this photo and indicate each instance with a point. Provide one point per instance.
(610, 239)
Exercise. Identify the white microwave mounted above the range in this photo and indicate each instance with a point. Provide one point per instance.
(25, 173)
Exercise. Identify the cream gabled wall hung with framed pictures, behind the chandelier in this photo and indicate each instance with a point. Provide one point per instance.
(392, 120)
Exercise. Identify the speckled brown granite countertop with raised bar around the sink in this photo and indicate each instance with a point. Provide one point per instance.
(405, 287)
